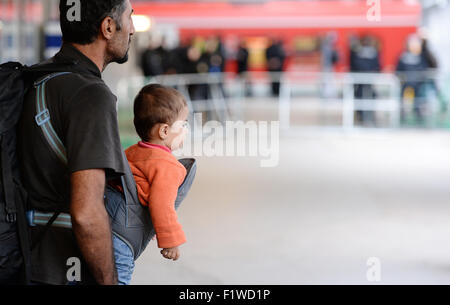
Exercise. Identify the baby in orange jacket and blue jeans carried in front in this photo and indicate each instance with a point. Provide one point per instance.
(161, 122)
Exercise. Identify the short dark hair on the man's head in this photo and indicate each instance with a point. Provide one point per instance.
(93, 12)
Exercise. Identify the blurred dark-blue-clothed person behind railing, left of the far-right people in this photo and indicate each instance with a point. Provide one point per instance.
(365, 58)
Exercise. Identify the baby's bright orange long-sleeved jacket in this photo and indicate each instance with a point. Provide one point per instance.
(158, 176)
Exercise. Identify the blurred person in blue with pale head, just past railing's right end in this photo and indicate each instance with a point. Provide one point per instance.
(411, 67)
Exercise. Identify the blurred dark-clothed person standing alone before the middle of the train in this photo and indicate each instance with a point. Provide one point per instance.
(276, 57)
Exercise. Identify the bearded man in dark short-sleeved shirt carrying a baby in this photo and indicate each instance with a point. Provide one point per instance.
(83, 113)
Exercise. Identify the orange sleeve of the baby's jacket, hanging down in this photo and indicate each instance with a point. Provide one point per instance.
(161, 201)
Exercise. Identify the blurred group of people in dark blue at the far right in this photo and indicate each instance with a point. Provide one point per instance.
(415, 68)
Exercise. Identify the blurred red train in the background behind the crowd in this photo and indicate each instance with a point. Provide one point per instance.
(298, 24)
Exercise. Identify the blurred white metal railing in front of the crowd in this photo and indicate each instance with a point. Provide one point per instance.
(230, 105)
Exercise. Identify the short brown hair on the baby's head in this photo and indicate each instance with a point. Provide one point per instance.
(156, 104)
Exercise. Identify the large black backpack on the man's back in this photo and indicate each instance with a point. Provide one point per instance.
(15, 79)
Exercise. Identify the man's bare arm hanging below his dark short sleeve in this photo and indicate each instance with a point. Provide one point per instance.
(91, 226)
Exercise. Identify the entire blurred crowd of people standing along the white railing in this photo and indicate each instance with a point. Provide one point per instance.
(200, 55)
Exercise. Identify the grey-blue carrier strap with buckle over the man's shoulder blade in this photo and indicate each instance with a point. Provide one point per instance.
(42, 118)
